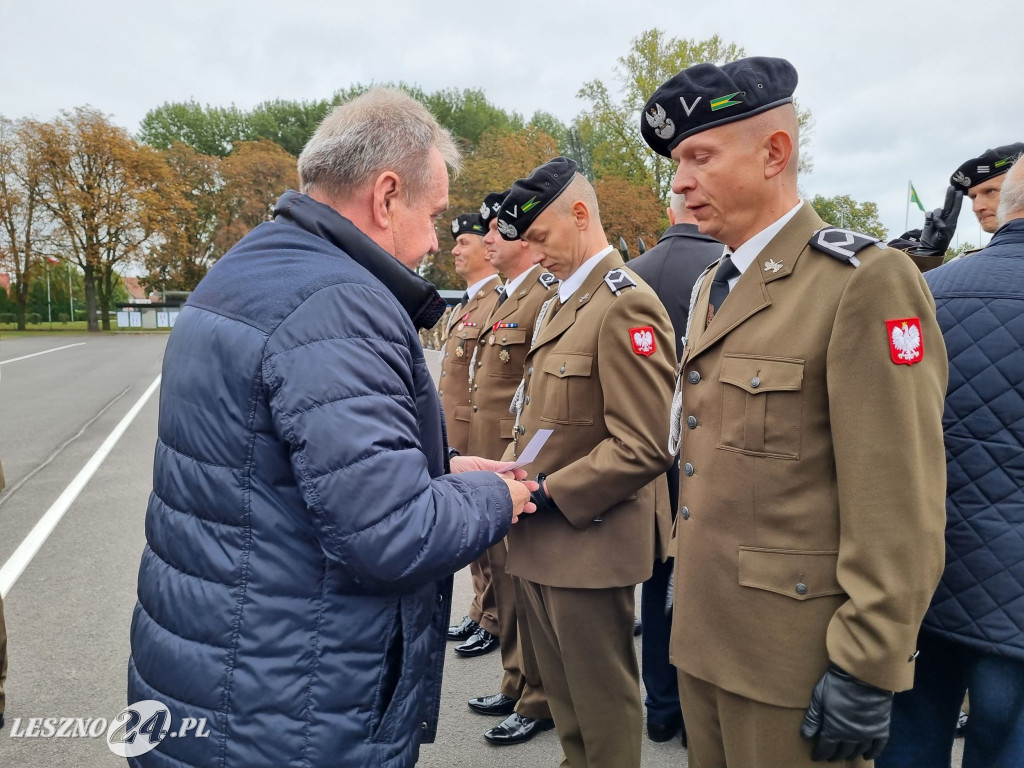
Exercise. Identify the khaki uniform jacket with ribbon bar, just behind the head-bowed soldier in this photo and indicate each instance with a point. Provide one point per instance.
(500, 364)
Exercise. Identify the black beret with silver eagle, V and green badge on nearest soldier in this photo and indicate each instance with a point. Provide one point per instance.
(706, 96)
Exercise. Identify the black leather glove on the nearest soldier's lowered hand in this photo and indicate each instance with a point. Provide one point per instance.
(847, 717)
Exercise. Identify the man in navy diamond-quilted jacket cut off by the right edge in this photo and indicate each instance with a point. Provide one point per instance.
(973, 634)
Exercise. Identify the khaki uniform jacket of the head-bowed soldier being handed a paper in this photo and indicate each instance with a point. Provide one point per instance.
(601, 375)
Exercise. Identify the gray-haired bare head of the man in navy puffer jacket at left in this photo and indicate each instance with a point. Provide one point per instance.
(382, 161)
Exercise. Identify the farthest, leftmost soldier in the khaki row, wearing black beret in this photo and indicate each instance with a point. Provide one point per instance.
(479, 630)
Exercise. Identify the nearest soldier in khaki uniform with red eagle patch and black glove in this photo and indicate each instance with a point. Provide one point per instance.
(810, 532)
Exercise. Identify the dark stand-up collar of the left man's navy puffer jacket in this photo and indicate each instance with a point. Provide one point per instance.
(418, 296)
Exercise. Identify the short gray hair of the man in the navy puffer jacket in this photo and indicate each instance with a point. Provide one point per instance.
(382, 131)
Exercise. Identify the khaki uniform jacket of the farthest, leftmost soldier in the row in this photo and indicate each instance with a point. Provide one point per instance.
(460, 343)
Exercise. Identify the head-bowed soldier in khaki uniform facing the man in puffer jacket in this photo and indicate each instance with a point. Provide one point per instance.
(600, 375)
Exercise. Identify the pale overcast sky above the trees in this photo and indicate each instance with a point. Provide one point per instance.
(900, 91)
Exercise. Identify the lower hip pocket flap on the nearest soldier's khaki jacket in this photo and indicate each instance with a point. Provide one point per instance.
(797, 574)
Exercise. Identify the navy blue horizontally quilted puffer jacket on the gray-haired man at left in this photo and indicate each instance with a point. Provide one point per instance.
(303, 532)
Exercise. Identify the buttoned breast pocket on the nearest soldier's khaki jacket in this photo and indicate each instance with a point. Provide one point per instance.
(761, 406)
